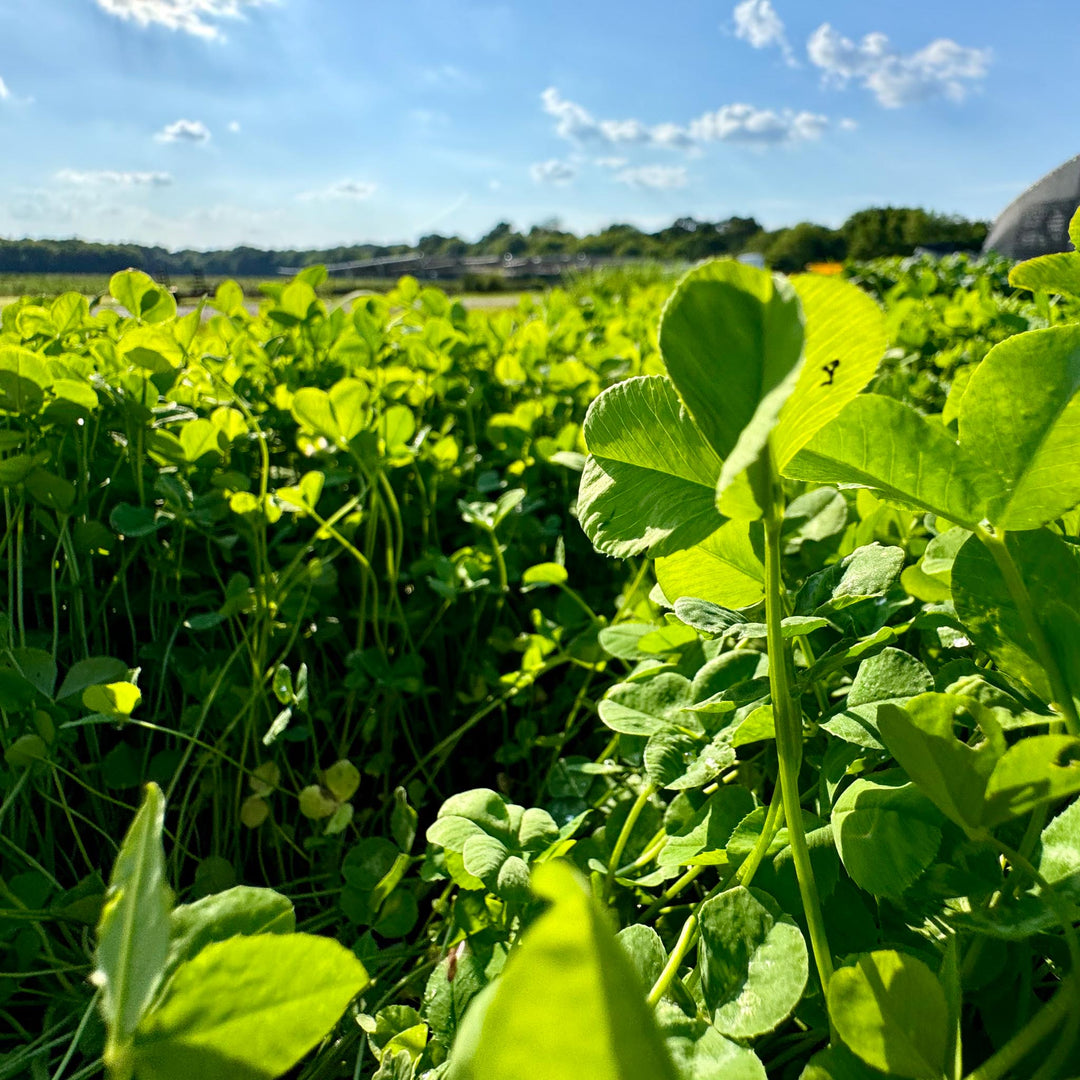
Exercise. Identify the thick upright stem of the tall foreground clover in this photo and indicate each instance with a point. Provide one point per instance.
(789, 725)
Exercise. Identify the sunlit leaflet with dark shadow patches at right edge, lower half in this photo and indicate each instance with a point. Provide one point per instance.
(1036, 771)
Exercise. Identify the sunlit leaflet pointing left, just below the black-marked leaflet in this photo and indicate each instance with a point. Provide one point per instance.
(888, 447)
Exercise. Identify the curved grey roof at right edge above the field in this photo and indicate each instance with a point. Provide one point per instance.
(1038, 222)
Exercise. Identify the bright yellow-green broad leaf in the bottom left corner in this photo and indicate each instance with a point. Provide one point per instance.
(232, 1015)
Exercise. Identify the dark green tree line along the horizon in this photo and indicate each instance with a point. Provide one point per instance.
(867, 235)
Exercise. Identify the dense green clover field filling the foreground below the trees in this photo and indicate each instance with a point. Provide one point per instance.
(633, 682)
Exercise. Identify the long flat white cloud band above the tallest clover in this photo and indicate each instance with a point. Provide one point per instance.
(744, 124)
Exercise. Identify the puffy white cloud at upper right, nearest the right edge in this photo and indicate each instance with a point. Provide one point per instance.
(941, 70)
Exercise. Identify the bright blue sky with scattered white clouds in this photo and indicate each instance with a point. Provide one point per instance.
(209, 124)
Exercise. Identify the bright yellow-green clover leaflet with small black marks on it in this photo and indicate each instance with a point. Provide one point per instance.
(845, 342)
